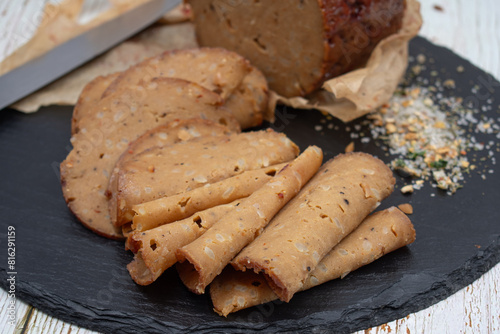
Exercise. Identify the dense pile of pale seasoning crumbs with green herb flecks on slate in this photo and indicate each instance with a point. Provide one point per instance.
(432, 136)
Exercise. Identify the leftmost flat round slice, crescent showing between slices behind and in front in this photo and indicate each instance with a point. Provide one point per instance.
(106, 132)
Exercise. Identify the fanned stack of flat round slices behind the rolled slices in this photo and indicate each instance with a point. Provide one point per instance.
(210, 87)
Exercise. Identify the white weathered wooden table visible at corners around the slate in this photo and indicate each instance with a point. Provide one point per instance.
(471, 29)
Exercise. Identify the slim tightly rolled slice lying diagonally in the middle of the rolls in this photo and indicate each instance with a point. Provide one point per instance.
(206, 257)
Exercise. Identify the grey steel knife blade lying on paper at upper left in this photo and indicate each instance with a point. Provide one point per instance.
(44, 69)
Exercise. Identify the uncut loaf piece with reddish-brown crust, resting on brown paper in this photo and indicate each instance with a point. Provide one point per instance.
(297, 58)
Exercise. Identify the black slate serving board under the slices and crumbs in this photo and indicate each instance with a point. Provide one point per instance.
(71, 273)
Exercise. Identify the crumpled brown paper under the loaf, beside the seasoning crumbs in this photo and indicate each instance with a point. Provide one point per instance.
(359, 92)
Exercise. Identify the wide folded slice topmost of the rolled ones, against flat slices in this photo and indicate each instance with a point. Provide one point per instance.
(166, 171)
